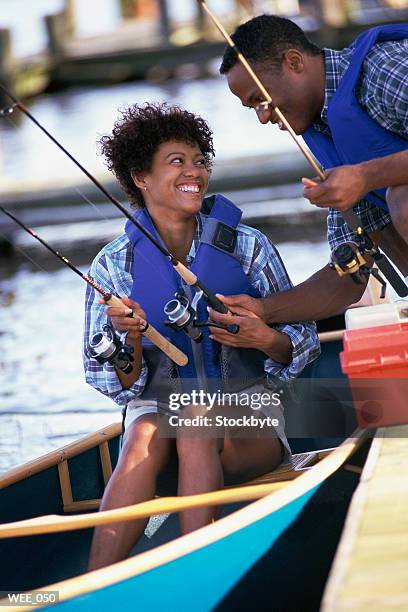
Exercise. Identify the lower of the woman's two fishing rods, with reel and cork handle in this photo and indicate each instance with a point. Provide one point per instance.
(118, 353)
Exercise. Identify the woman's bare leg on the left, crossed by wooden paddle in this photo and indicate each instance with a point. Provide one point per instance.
(142, 458)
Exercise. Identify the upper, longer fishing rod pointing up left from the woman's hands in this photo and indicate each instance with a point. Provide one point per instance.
(187, 275)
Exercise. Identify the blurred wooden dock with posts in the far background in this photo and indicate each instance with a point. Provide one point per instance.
(154, 49)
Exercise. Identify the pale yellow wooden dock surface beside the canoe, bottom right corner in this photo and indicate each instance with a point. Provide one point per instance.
(370, 571)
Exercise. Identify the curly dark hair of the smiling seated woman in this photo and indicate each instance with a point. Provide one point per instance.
(138, 133)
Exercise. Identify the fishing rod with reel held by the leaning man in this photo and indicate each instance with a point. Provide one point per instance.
(350, 216)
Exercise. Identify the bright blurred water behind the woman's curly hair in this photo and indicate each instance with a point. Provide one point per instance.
(79, 117)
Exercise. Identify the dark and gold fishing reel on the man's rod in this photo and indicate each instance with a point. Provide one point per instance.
(346, 260)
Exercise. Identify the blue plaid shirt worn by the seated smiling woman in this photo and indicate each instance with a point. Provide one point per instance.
(112, 270)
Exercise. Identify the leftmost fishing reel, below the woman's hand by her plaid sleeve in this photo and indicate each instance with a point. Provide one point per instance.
(108, 347)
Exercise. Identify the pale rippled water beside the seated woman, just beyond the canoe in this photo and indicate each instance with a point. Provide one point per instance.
(44, 401)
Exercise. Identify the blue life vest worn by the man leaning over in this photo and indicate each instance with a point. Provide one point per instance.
(355, 136)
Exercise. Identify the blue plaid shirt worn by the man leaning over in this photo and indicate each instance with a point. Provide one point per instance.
(383, 92)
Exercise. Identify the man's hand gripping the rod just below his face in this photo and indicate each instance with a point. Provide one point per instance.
(342, 189)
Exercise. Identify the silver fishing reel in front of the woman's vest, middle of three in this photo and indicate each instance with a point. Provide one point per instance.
(182, 316)
